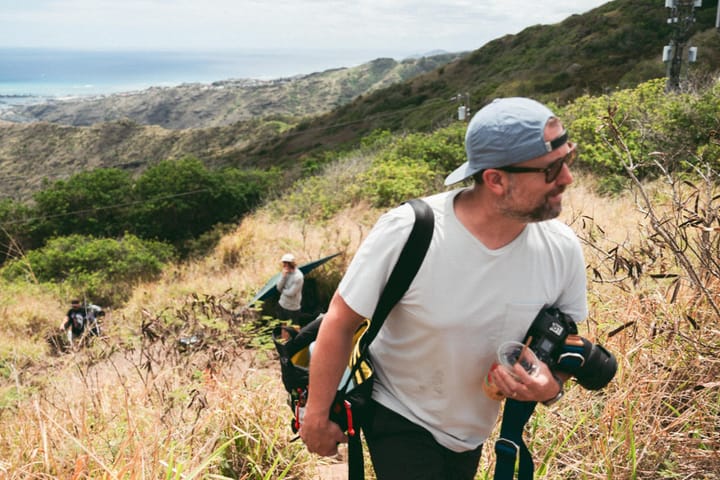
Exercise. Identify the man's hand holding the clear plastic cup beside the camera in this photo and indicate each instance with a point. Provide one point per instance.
(519, 385)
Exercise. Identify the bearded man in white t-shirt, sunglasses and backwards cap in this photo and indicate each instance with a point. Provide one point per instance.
(496, 259)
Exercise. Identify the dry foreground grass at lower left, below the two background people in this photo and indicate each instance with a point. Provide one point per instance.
(155, 411)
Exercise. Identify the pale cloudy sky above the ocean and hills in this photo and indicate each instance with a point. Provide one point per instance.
(384, 27)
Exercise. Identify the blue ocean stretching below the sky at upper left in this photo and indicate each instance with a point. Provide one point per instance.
(30, 75)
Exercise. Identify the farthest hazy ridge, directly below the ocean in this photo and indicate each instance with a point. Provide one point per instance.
(226, 102)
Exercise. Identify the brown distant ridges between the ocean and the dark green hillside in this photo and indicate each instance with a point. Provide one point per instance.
(209, 121)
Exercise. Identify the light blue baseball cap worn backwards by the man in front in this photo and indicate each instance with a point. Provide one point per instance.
(504, 132)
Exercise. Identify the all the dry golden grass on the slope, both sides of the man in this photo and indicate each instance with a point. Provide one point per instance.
(135, 405)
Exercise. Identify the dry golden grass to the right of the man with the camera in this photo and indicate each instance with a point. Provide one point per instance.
(658, 418)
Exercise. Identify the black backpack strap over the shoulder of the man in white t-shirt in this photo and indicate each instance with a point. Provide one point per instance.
(402, 275)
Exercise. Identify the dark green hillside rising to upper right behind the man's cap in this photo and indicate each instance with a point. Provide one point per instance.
(616, 45)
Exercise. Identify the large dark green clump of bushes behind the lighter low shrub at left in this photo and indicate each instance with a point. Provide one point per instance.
(173, 201)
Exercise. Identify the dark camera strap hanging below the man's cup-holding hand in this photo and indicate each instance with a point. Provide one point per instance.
(510, 445)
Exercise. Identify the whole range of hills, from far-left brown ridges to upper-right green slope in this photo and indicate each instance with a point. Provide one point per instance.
(278, 123)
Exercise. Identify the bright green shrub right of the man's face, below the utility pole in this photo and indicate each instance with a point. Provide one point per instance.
(649, 119)
